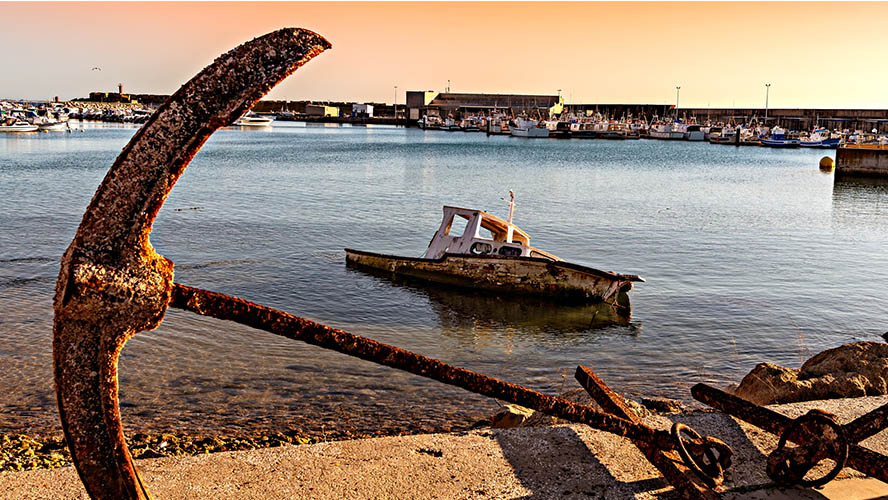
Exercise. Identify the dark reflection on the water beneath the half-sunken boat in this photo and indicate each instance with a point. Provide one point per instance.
(477, 312)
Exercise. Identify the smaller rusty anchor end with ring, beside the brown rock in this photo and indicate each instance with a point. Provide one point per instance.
(818, 436)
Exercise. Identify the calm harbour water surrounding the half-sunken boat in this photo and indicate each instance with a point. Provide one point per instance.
(750, 255)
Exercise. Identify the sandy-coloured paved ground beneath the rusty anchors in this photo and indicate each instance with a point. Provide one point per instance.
(563, 462)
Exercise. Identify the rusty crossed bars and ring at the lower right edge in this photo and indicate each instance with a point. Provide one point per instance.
(859, 458)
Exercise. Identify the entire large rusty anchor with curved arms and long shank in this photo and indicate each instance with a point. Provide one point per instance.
(112, 284)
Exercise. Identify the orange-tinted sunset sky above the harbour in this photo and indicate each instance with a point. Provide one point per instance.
(720, 54)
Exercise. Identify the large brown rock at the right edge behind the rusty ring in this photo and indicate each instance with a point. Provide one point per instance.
(852, 370)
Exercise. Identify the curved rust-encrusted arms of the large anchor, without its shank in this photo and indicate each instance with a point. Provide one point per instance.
(112, 284)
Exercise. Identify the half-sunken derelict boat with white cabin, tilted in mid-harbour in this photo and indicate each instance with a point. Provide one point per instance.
(495, 255)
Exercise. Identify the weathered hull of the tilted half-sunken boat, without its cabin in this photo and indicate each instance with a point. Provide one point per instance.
(514, 275)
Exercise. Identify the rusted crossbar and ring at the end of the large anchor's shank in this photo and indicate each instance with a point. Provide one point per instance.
(690, 484)
